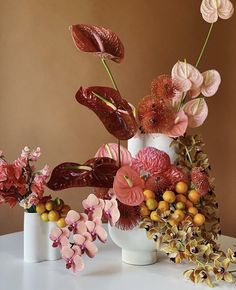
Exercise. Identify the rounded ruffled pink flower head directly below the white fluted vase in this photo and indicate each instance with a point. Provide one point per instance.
(151, 160)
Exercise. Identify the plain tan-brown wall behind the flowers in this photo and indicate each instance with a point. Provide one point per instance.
(40, 71)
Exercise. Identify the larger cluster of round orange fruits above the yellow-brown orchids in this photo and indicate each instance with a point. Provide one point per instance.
(182, 202)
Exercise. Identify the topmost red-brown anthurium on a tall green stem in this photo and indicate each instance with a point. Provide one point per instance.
(99, 40)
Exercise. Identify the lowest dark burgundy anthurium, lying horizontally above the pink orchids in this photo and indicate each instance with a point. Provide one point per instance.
(96, 172)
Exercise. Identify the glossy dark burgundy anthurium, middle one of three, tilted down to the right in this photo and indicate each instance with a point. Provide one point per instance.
(114, 111)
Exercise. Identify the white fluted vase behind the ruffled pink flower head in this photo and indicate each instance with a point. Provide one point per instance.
(156, 140)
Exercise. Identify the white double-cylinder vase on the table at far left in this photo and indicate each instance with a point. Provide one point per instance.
(37, 246)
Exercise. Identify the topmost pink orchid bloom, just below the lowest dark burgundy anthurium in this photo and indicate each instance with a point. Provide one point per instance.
(93, 206)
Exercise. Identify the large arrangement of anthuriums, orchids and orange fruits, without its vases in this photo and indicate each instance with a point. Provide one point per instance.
(175, 203)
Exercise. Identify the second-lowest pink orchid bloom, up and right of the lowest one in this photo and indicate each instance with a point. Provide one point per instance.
(85, 243)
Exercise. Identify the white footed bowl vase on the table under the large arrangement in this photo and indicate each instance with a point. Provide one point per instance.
(137, 249)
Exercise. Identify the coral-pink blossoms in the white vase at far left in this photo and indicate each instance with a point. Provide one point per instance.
(21, 183)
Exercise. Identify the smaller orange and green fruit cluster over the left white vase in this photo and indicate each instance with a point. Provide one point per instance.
(53, 211)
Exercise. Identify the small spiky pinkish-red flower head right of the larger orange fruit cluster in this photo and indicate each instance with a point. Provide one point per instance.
(200, 180)
